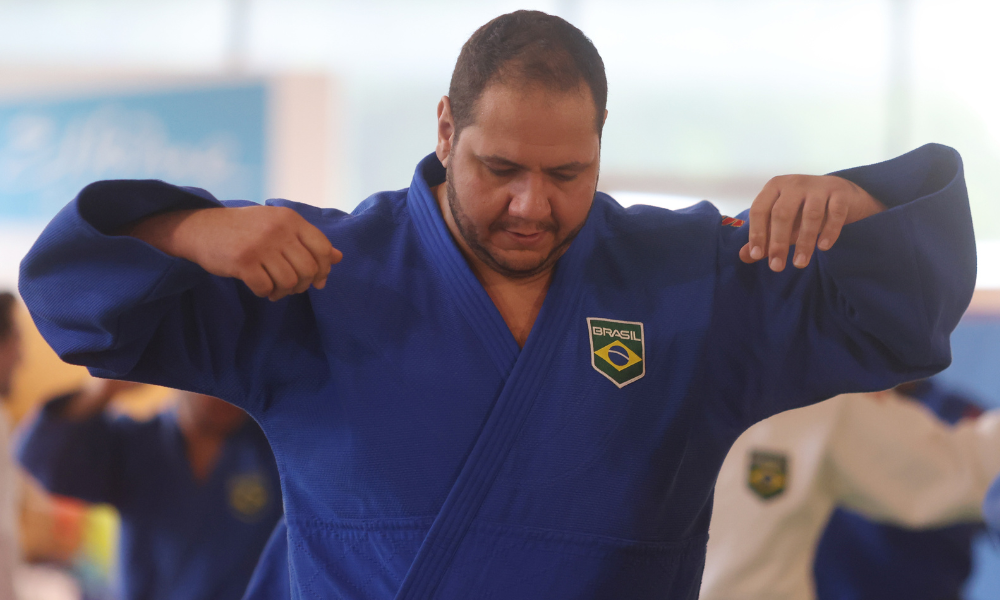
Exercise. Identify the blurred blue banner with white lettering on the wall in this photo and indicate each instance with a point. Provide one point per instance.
(208, 137)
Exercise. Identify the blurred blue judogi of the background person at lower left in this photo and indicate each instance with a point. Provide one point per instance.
(180, 537)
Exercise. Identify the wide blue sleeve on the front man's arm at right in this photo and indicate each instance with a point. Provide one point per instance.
(875, 310)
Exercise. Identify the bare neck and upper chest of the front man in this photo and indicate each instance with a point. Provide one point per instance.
(519, 300)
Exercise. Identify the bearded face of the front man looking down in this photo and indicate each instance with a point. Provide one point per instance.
(521, 179)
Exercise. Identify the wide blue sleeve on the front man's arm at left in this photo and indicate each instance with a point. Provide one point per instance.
(129, 311)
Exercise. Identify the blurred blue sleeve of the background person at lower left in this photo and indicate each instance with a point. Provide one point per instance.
(82, 459)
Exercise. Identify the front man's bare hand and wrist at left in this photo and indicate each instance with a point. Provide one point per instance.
(272, 249)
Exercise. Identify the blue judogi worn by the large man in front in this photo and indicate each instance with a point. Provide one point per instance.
(423, 454)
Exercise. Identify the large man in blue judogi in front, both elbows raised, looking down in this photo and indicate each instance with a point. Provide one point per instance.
(511, 386)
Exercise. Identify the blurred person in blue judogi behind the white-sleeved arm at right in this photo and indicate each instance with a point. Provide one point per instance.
(859, 559)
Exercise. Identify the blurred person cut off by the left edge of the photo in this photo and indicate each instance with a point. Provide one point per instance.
(10, 356)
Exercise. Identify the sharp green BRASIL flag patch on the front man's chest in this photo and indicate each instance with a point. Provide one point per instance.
(617, 349)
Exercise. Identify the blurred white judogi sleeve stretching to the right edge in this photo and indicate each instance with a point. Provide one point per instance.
(893, 460)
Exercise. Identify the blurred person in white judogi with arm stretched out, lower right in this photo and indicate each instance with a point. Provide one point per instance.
(882, 455)
